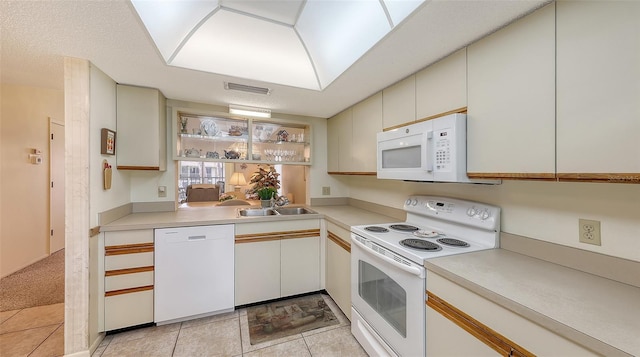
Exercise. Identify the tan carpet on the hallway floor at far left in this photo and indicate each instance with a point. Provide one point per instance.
(41, 283)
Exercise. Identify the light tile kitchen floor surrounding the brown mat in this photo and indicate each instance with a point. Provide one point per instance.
(228, 335)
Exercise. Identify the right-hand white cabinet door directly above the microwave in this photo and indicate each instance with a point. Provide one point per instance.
(442, 87)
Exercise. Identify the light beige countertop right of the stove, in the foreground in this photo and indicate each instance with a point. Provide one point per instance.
(595, 312)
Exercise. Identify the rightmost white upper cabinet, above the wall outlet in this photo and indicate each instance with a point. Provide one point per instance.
(598, 84)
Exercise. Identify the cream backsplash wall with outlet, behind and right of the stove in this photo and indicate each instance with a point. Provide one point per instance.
(546, 211)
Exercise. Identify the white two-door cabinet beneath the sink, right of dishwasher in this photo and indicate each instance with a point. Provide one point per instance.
(271, 263)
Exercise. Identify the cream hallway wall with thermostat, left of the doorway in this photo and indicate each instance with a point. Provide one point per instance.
(24, 187)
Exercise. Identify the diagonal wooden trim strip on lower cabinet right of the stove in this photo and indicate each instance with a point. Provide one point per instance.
(482, 332)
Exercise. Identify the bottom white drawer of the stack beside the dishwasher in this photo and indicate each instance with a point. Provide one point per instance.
(126, 310)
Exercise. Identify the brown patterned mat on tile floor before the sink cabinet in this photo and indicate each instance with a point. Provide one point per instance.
(288, 317)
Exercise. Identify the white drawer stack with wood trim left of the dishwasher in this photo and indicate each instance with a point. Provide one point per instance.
(128, 278)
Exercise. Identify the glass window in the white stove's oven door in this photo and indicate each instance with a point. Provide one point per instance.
(384, 295)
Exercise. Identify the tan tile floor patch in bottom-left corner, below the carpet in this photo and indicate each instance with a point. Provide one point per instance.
(34, 332)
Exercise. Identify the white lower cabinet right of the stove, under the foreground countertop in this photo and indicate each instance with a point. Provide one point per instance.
(462, 323)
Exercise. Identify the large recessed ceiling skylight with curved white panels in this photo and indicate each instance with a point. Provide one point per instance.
(299, 43)
